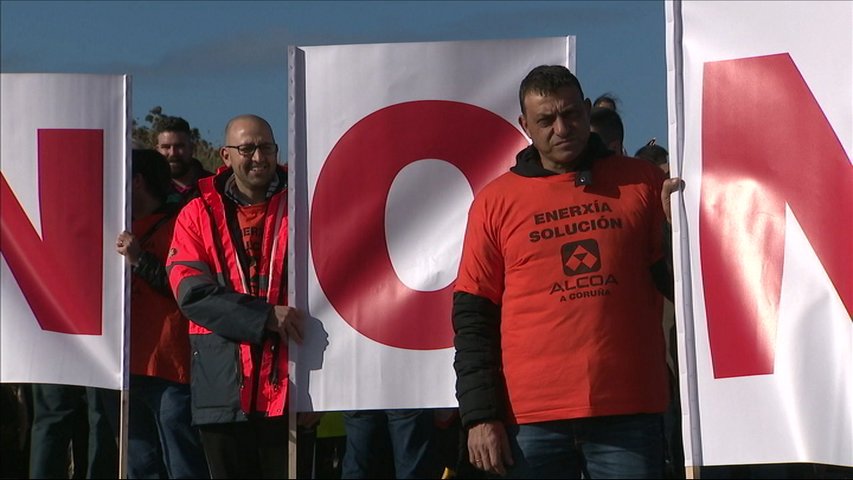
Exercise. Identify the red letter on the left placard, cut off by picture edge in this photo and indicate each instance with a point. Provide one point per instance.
(61, 272)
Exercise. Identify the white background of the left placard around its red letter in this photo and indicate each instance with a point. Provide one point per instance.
(64, 101)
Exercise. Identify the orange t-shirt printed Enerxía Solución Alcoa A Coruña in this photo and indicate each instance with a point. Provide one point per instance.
(569, 266)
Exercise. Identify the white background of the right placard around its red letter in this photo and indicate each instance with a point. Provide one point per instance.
(803, 411)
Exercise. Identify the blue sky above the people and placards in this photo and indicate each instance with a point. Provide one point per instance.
(209, 61)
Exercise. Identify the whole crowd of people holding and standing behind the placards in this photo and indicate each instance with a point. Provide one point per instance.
(554, 379)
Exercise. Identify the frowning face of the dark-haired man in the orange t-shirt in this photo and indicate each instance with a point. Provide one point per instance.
(558, 125)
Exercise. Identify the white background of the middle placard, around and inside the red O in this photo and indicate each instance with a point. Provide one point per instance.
(343, 85)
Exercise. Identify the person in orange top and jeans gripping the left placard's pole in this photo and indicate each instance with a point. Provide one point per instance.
(162, 443)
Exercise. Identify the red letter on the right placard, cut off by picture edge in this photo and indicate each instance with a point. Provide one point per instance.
(765, 143)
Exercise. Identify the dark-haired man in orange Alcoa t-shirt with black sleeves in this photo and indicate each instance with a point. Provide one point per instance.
(560, 357)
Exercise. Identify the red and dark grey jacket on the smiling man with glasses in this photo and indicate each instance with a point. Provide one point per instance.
(238, 367)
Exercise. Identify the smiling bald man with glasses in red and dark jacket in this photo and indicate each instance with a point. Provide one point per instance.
(227, 268)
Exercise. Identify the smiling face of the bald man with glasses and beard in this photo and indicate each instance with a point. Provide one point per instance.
(253, 174)
